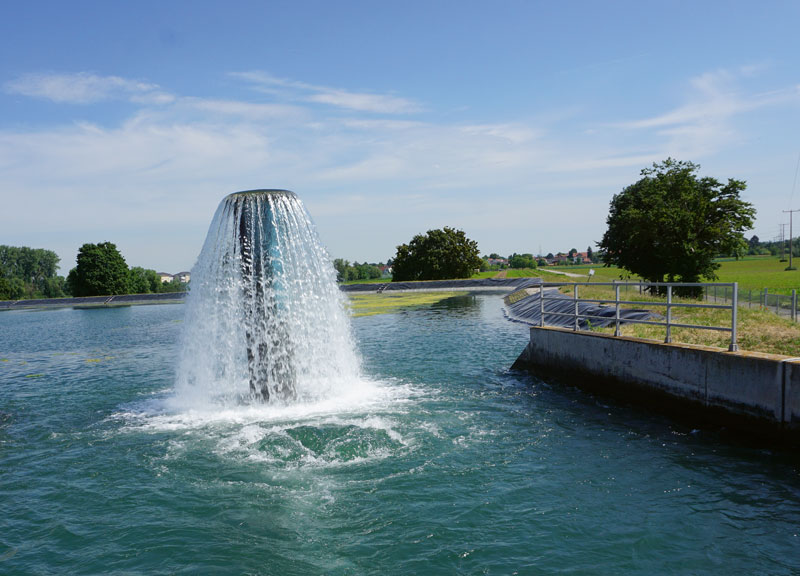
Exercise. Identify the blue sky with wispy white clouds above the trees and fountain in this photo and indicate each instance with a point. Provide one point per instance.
(515, 121)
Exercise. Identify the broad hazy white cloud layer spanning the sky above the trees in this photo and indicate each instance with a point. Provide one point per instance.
(353, 160)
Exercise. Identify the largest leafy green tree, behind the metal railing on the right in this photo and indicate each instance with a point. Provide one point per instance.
(671, 224)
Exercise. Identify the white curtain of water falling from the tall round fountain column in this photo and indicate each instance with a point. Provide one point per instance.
(265, 319)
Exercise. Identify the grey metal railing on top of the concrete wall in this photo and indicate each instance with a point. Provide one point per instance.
(670, 304)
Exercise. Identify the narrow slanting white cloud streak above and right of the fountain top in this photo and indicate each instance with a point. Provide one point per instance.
(337, 97)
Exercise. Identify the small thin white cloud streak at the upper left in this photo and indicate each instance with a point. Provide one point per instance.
(86, 88)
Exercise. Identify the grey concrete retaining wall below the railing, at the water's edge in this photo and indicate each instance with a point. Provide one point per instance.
(746, 390)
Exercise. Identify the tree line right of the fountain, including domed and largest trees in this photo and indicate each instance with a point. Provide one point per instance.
(669, 226)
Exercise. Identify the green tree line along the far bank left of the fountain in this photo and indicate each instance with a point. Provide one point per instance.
(101, 270)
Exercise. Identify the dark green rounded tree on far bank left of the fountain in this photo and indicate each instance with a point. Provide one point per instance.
(101, 271)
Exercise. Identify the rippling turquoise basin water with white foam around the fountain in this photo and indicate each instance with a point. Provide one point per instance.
(439, 461)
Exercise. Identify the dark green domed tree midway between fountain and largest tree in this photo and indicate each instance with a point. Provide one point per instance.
(438, 255)
